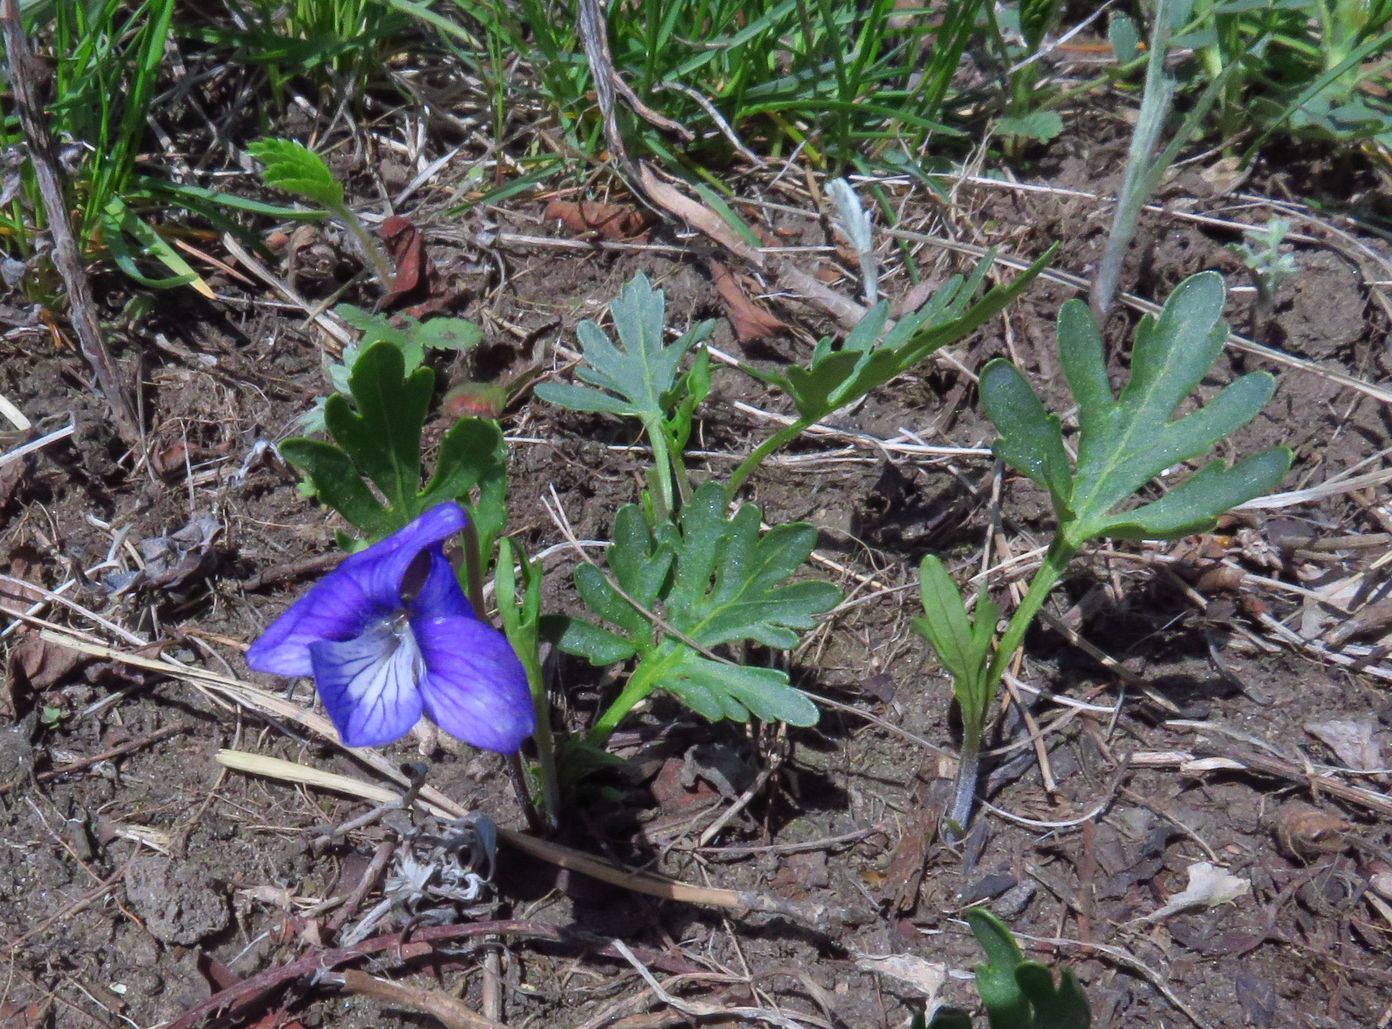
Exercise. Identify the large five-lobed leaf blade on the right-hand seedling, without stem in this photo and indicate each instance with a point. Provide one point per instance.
(1127, 442)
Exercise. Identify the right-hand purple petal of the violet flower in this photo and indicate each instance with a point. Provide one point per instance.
(474, 689)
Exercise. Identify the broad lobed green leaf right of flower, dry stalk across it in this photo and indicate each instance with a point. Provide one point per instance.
(677, 591)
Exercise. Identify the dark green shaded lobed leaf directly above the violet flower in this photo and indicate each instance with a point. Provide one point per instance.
(378, 441)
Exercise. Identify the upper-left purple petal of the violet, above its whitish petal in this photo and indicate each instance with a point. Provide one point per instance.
(364, 590)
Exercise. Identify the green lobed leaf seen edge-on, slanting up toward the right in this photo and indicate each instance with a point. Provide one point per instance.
(868, 357)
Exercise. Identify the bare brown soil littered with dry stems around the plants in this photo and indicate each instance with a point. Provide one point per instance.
(1241, 718)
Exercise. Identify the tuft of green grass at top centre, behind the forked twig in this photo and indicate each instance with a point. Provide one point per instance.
(847, 86)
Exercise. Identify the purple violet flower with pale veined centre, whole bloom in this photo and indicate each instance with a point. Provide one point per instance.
(389, 637)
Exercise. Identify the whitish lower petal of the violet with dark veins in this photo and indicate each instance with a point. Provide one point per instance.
(370, 684)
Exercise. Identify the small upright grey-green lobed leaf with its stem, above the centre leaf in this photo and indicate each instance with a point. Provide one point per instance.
(642, 379)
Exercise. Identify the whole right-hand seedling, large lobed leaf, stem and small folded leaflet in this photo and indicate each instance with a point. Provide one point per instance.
(1124, 443)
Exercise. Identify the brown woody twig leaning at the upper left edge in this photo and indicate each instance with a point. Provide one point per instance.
(24, 74)
